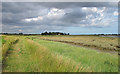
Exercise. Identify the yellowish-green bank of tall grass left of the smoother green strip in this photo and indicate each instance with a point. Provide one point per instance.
(30, 56)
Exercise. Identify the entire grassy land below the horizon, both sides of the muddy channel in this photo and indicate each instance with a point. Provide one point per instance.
(55, 54)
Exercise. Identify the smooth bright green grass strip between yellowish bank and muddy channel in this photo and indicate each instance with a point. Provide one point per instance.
(97, 61)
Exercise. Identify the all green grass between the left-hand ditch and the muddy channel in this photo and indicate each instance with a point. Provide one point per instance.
(37, 55)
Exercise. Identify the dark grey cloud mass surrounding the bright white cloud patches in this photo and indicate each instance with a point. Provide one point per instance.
(15, 12)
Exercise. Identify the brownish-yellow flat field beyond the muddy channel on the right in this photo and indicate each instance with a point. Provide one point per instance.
(103, 43)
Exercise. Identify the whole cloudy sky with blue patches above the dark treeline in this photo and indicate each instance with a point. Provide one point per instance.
(69, 17)
